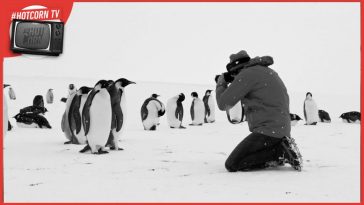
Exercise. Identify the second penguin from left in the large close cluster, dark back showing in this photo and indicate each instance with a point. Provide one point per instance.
(74, 114)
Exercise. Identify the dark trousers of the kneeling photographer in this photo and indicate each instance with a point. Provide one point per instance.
(254, 152)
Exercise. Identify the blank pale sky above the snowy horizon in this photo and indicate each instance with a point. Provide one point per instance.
(316, 46)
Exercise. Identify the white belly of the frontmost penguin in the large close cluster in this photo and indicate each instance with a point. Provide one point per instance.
(100, 120)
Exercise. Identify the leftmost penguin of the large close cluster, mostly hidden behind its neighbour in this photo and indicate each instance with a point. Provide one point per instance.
(65, 124)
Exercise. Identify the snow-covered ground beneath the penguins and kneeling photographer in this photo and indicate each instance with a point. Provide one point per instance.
(171, 165)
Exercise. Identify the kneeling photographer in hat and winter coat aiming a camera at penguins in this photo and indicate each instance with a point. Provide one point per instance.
(266, 104)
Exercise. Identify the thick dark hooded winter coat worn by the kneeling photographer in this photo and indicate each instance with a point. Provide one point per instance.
(264, 96)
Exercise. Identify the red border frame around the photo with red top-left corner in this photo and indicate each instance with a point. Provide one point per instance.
(4, 19)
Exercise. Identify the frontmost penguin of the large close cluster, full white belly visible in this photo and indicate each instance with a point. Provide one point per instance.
(96, 117)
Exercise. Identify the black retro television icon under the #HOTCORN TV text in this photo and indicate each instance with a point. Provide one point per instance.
(37, 37)
